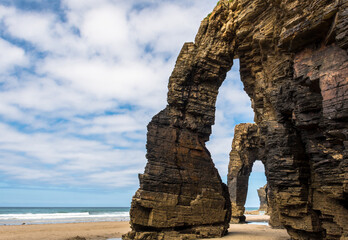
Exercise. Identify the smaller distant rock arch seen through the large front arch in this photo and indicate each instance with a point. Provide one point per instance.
(247, 147)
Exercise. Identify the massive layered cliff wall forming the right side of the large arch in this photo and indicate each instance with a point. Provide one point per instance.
(294, 68)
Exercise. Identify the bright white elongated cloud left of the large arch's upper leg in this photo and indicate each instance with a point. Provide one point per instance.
(132, 83)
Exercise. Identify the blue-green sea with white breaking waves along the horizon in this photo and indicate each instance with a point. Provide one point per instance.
(47, 215)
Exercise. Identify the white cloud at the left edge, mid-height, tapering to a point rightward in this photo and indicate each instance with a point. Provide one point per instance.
(46, 98)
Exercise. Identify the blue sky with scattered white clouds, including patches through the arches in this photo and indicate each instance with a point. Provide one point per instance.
(79, 82)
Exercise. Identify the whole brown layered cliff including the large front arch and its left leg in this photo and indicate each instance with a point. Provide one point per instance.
(294, 66)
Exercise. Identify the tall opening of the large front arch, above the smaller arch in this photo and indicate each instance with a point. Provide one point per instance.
(233, 106)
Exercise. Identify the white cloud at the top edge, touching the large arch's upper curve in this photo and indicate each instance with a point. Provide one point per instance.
(166, 26)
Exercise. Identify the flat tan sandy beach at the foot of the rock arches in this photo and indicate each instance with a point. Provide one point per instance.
(105, 230)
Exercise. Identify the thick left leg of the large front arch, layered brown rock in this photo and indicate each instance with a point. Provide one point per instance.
(181, 195)
